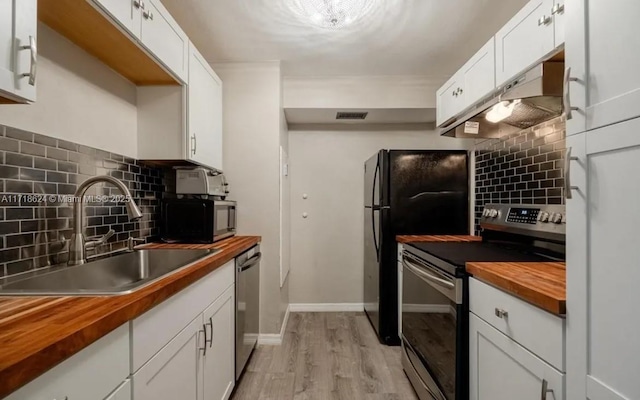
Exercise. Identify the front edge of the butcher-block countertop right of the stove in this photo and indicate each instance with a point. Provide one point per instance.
(532, 295)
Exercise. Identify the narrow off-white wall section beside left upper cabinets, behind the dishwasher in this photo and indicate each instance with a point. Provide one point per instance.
(252, 131)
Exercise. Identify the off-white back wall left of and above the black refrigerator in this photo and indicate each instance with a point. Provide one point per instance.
(327, 247)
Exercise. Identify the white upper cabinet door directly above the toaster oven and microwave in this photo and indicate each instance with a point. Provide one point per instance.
(204, 112)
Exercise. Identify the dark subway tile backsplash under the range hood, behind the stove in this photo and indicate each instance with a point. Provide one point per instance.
(523, 168)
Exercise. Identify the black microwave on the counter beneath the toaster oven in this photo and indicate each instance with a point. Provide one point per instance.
(191, 220)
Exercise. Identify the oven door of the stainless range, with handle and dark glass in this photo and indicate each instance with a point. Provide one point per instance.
(431, 329)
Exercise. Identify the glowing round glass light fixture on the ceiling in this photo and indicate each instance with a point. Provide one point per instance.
(332, 14)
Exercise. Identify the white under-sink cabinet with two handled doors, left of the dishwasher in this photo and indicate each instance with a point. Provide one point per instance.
(197, 362)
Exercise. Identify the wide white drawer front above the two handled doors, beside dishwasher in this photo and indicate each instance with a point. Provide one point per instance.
(155, 328)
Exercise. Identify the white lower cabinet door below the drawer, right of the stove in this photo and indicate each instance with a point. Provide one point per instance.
(500, 369)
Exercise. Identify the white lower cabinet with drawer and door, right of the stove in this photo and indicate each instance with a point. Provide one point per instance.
(516, 350)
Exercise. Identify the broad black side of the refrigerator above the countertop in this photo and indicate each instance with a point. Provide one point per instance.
(429, 192)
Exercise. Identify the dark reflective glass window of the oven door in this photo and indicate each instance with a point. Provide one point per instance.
(429, 325)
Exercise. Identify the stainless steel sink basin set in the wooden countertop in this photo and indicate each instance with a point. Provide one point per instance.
(117, 275)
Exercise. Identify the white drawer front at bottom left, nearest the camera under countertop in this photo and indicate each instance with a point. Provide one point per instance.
(91, 374)
